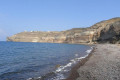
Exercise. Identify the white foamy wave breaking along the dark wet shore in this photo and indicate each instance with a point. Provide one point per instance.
(61, 71)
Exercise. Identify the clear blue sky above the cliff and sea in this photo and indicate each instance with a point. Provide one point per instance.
(53, 15)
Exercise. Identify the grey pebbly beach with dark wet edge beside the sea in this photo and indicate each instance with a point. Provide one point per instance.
(103, 63)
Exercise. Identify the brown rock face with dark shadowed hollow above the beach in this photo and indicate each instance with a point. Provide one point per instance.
(107, 31)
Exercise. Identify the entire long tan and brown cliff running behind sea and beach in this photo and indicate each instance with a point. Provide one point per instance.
(101, 32)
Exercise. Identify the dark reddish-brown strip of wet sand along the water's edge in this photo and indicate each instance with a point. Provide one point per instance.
(73, 73)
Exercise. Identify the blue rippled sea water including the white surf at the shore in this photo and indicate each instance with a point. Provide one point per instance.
(21, 61)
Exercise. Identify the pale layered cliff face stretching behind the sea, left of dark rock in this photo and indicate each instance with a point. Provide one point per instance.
(70, 36)
